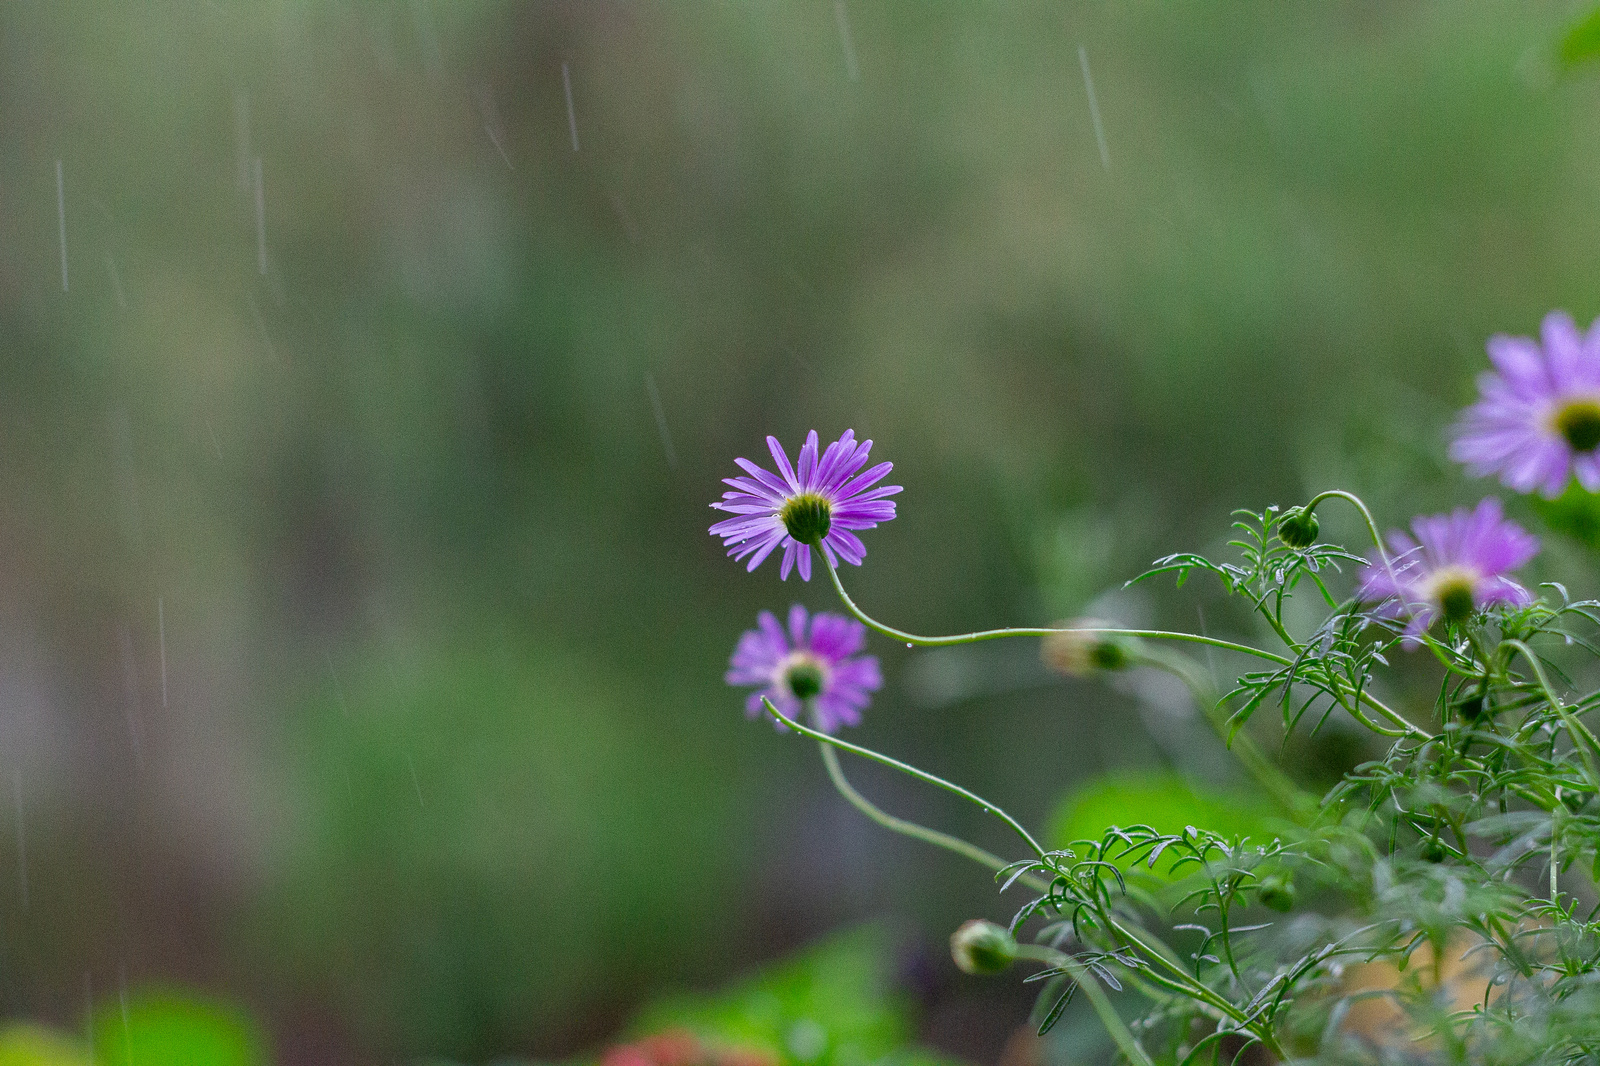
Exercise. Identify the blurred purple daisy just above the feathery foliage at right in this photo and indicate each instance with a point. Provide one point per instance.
(1454, 567)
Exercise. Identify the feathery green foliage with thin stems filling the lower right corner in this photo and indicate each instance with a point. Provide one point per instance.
(1473, 844)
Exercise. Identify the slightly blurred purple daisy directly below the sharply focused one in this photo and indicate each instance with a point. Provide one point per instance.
(814, 665)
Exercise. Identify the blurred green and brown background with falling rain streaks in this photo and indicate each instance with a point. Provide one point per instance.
(361, 636)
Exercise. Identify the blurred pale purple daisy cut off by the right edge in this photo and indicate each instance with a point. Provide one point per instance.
(1538, 420)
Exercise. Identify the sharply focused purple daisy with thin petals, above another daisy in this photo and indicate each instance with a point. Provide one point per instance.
(817, 505)
